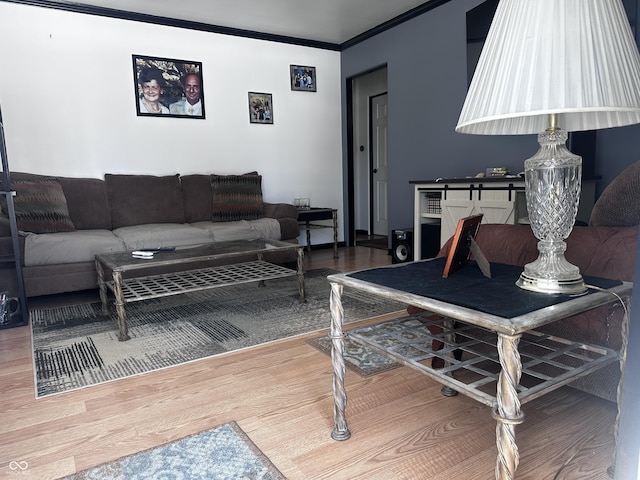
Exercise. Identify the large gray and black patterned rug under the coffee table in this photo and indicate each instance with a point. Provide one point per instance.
(77, 346)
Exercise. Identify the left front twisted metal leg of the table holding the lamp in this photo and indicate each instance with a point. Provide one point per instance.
(341, 430)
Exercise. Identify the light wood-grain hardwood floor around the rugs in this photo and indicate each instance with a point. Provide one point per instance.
(280, 395)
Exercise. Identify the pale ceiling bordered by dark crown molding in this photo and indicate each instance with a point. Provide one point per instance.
(313, 21)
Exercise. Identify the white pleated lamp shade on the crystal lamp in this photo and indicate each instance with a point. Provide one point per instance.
(574, 58)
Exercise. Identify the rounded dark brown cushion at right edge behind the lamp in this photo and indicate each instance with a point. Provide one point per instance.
(619, 203)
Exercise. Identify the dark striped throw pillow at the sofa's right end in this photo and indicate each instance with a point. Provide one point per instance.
(237, 197)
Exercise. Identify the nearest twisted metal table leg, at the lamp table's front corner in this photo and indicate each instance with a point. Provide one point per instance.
(507, 411)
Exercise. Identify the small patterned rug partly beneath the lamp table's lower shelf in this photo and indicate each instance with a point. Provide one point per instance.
(358, 358)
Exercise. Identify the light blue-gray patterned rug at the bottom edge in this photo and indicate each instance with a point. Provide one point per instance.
(225, 452)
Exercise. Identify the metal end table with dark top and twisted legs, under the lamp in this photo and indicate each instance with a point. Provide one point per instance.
(505, 359)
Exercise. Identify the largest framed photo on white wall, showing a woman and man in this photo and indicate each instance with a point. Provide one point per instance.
(166, 87)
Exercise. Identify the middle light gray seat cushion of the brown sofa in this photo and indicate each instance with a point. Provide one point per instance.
(158, 235)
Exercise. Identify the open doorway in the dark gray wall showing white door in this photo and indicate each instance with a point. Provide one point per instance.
(367, 161)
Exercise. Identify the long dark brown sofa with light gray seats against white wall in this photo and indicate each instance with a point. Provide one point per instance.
(129, 212)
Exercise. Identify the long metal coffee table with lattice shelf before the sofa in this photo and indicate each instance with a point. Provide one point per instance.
(131, 281)
